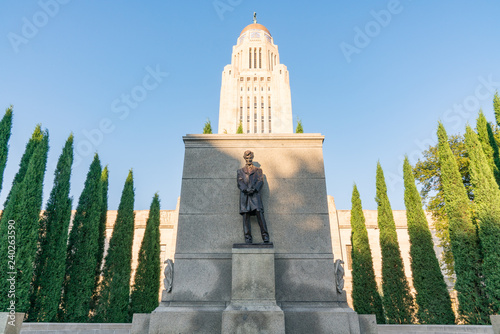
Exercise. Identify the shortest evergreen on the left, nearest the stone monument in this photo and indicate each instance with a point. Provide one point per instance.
(145, 293)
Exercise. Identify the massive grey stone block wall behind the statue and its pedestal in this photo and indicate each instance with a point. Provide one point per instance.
(296, 211)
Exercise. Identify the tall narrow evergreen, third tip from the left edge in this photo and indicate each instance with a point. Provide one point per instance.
(53, 237)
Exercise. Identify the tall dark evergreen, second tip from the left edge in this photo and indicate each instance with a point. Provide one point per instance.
(24, 209)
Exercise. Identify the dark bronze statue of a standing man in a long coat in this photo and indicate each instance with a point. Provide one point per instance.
(250, 182)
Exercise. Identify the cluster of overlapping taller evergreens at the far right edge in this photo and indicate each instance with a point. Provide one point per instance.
(474, 227)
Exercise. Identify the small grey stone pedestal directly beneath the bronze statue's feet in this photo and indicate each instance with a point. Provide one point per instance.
(253, 307)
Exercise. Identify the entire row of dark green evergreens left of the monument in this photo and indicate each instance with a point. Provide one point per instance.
(59, 278)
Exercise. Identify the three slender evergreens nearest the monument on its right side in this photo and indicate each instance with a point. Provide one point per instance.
(432, 304)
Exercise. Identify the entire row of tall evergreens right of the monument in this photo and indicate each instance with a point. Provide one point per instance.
(467, 184)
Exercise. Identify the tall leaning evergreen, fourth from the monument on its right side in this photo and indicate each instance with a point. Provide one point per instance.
(472, 307)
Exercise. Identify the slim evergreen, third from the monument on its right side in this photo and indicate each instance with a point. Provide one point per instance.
(432, 297)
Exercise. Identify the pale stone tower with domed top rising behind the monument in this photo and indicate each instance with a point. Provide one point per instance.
(255, 90)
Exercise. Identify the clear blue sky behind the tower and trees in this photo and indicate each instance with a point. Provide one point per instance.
(68, 66)
